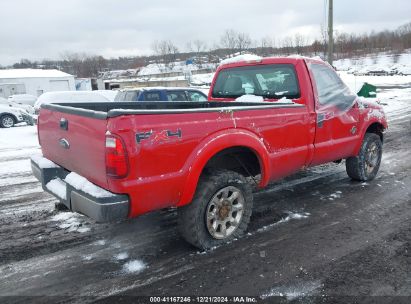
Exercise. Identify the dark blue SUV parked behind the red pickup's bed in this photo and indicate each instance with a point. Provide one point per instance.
(161, 94)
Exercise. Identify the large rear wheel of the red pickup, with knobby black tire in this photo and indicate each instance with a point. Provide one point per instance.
(192, 219)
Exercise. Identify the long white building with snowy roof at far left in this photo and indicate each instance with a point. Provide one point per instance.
(35, 81)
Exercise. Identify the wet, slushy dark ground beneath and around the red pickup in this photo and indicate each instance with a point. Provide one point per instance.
(316, 237)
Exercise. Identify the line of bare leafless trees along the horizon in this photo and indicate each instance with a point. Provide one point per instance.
(231, 42)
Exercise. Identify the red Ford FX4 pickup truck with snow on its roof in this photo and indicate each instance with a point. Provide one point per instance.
(265, 119)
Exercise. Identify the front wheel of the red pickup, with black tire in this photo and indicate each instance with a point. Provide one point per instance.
(365, 166)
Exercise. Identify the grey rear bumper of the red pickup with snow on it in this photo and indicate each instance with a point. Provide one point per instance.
(104, 208)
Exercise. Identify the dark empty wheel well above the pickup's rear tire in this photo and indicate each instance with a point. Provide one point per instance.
(239, 159)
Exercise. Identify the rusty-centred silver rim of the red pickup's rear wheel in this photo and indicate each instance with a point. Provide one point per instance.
(224, 212)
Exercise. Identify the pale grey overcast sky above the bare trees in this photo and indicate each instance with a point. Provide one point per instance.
(37, 29)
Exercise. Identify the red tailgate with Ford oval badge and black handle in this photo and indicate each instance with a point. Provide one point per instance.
(77, 143)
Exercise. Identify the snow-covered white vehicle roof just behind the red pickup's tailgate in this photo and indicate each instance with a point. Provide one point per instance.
(70, 96)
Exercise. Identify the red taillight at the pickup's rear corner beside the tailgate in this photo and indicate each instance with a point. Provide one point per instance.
(116, 157)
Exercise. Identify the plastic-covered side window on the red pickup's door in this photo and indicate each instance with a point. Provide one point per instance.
(331, 89)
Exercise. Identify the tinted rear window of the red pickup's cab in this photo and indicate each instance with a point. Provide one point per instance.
(269, 81)
